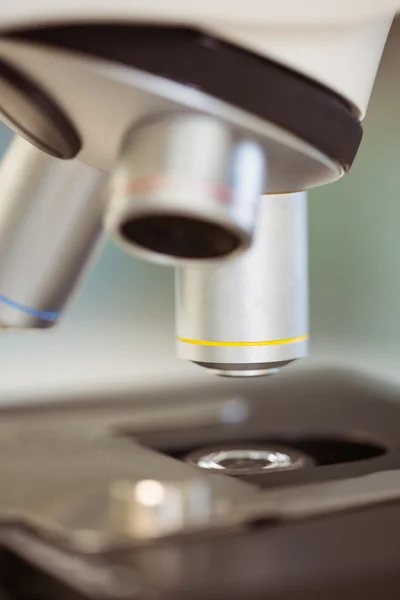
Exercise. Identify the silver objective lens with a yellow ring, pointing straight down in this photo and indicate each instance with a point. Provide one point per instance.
(249, 317)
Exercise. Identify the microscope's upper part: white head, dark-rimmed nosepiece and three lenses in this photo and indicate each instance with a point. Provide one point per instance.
(193, 138)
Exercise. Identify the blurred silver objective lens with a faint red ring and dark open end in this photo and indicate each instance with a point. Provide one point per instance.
(186, 187)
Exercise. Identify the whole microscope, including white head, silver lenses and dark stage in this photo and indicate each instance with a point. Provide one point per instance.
(190, 133)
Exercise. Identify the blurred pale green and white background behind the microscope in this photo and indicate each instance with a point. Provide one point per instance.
(118, 335)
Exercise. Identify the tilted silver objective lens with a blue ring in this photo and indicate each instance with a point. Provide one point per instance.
(50, 222)
